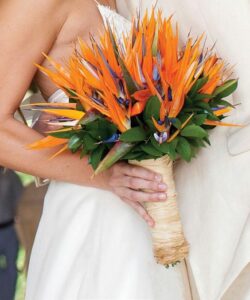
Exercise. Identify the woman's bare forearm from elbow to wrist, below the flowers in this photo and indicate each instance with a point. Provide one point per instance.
(14, 154)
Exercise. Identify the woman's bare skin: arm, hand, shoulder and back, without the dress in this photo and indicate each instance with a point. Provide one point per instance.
(52, 28)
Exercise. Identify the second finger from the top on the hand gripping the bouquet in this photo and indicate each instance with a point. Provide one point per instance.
(138, 183)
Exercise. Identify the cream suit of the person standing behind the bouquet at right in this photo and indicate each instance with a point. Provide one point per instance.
(214, 190)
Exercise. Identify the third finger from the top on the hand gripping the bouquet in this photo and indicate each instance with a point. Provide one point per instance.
(139, 196)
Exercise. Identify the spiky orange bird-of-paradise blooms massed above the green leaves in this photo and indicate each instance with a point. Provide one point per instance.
(117, 77)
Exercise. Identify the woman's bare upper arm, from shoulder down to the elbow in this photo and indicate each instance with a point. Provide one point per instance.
(27, 28)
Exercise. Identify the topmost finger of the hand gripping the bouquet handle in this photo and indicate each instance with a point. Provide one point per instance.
(136, 171)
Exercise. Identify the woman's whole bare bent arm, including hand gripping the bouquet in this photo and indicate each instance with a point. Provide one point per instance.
(26, 29)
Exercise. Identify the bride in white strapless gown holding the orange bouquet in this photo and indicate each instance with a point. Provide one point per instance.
(91, 242)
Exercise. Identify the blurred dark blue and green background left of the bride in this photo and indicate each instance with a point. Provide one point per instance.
(21, 203)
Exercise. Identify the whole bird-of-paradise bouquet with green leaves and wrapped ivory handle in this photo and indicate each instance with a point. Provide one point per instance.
(144, 99)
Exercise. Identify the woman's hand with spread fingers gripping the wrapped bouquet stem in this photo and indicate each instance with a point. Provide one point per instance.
(130, 182)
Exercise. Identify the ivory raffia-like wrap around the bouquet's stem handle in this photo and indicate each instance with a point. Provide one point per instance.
(169, 243)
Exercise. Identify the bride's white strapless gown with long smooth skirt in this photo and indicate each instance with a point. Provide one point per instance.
(92, 245)
